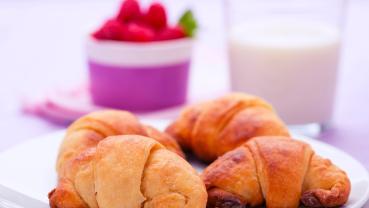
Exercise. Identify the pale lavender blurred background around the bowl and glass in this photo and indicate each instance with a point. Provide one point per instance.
(42, 49)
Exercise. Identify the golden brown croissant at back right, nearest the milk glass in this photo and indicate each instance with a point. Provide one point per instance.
(213, 128)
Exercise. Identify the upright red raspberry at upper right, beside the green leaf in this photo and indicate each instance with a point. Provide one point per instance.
(156, 16)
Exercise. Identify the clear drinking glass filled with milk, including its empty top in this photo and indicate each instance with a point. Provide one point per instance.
(287, 51)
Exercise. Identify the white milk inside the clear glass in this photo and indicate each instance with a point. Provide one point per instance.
(291, 64)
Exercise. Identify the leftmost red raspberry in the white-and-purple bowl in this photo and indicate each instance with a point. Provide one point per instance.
(111, 30)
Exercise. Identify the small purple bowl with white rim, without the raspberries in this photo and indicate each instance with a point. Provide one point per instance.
(139, 76)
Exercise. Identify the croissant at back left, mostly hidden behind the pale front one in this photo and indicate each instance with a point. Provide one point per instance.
(85, 134)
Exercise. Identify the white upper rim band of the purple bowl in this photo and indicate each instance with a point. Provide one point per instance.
(119, 53)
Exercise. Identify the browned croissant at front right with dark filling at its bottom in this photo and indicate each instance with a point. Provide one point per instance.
(277, 172)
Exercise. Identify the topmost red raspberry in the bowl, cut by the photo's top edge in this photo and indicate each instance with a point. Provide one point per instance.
(129, 11)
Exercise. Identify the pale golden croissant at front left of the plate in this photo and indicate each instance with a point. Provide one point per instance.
(129, 171)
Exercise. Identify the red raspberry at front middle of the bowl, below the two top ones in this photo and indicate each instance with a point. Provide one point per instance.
(139, 33)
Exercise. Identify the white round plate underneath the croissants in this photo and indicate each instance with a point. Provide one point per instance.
(29, 167)
